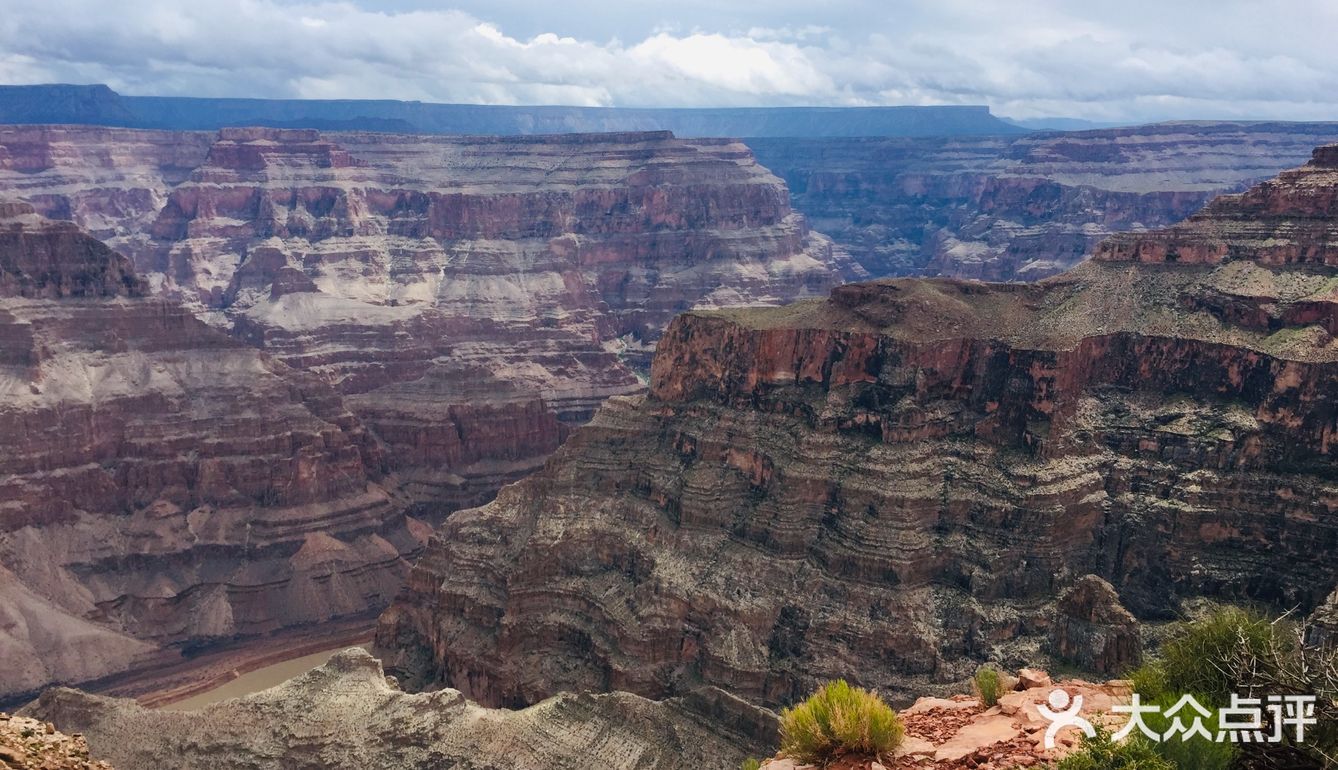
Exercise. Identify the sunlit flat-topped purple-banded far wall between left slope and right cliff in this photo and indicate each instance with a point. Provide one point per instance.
(474, 297)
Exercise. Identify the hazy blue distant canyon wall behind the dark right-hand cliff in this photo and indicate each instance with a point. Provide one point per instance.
(1022, 208)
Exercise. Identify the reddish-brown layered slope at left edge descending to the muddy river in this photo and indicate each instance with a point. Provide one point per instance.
(163, 484)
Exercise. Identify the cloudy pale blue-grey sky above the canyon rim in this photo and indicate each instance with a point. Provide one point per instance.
(1127, 61)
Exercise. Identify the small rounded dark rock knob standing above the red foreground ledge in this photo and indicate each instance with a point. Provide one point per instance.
(1094, 631)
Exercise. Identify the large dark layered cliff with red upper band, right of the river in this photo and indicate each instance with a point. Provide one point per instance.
(894, 484)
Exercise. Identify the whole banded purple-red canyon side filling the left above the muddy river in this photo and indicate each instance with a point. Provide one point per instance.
(247, 372)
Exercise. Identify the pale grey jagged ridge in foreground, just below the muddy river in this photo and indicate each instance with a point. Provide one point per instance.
(347, 716)
